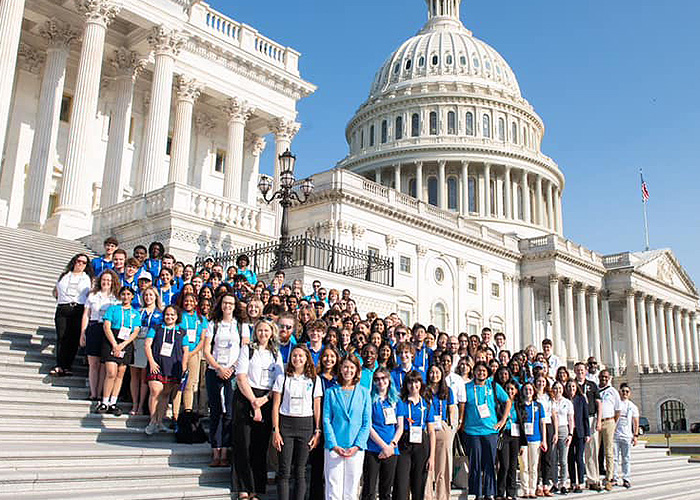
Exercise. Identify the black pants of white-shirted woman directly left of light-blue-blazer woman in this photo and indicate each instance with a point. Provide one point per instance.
(296, 433)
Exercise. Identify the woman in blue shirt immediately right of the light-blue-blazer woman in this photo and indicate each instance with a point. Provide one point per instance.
(382, 448)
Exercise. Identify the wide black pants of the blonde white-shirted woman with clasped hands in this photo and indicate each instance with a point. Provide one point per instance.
(251, 441)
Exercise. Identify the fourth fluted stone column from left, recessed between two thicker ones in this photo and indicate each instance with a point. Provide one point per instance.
(128, 65)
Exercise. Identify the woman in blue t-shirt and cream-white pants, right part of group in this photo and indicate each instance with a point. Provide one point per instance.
(535, 430)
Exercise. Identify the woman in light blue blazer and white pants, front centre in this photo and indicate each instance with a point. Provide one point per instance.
(347, 418)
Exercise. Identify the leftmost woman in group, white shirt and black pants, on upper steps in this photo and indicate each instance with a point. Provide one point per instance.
(71, 292)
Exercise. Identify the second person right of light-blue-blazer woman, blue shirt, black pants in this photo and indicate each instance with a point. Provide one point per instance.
(417, 444)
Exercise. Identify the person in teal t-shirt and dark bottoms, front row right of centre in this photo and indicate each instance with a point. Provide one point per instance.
(481, 428)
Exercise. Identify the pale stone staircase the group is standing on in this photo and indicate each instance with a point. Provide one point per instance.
(51, 446)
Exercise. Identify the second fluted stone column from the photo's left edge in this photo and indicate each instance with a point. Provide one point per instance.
(36, 200)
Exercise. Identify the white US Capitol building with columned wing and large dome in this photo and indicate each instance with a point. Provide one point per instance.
(146, 119)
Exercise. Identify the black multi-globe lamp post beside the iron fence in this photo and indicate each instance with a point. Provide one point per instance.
(286, 196)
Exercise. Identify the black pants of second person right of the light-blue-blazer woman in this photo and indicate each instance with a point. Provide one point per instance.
(411, 469)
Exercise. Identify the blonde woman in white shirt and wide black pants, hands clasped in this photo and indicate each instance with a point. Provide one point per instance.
(259, 365)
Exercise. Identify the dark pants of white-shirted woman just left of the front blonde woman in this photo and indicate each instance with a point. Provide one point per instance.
(220, 397)
